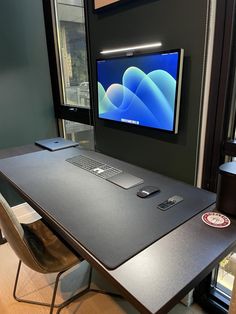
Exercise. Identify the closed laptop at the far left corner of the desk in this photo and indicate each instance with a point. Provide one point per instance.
(56, 143)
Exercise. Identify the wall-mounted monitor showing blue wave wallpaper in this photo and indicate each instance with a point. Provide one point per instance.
(142, 89)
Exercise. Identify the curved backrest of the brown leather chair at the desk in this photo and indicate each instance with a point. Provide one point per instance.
(14, 233)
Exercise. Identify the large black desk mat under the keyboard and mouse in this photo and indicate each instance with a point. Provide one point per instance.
(111, 223)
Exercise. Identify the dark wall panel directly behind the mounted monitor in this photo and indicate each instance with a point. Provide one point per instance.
(177, 24)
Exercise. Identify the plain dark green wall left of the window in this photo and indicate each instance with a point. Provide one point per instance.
(26, 105)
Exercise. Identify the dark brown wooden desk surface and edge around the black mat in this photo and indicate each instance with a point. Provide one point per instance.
(159, 276)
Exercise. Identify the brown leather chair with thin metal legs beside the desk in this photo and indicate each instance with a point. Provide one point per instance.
(38, 248)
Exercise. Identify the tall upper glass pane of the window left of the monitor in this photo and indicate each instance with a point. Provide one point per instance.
(73, 52)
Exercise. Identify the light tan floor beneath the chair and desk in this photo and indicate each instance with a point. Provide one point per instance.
(39, 287)
